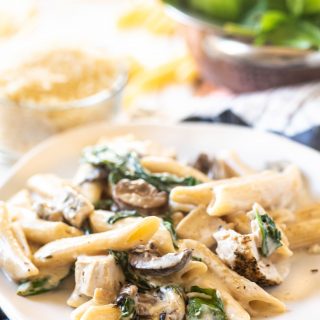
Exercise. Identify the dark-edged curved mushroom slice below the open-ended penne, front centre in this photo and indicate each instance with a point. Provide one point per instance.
(153, 265)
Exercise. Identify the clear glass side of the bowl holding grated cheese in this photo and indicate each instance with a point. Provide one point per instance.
(22, 126)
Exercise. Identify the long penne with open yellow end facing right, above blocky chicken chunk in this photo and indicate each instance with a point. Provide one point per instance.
(67, 250)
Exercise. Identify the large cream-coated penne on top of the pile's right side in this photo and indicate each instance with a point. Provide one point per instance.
(240, 194)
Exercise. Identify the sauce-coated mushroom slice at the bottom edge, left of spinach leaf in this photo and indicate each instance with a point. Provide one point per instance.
(166, 303)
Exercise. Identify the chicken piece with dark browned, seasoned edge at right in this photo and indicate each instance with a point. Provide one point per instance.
(240, 252)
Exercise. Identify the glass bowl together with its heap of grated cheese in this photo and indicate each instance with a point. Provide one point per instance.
(55, 91)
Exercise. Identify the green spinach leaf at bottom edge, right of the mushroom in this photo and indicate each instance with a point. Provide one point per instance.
(202, 307)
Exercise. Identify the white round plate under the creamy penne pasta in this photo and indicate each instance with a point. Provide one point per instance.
(60, 155)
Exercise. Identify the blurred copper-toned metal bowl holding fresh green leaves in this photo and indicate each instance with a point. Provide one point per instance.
(239, 65)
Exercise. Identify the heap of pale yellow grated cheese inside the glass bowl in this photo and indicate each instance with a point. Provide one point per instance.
(58, 76)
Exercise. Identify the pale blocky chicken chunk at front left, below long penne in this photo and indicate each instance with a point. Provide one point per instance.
(95, 272)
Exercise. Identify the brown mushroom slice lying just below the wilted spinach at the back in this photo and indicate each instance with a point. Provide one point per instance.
(139, 194)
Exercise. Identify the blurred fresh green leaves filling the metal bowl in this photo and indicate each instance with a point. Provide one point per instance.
(288, 23)
